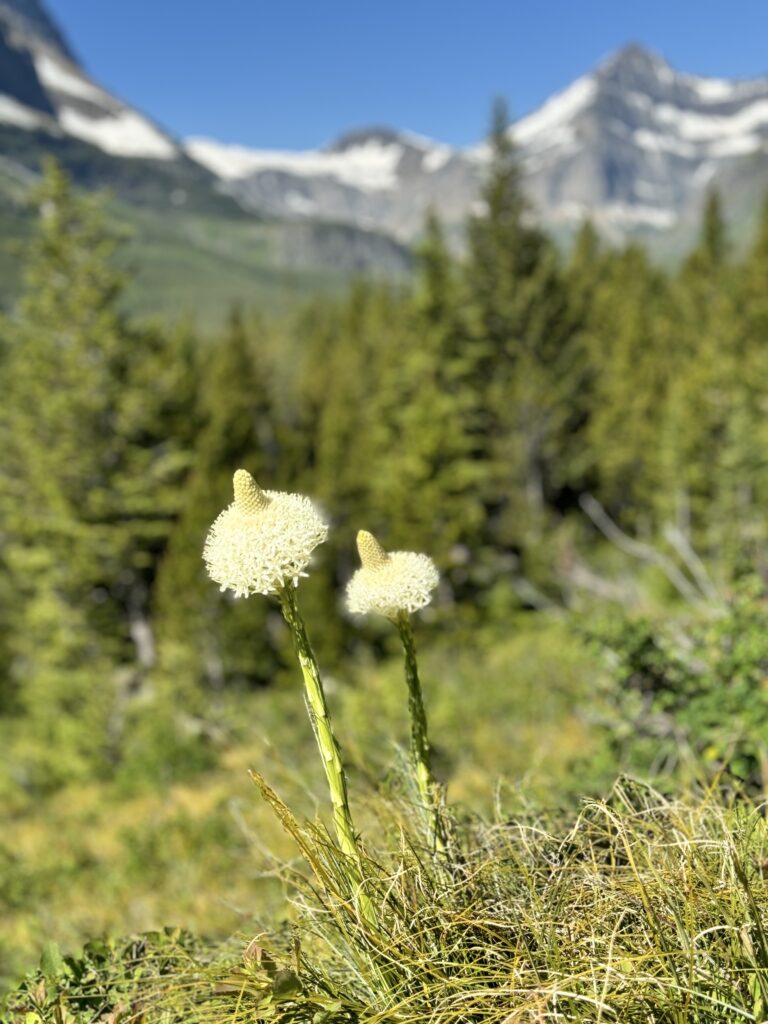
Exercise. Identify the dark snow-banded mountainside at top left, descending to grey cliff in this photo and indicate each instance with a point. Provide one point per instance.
(51, 106)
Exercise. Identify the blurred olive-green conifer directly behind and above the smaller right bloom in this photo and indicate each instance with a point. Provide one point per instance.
(425, 485)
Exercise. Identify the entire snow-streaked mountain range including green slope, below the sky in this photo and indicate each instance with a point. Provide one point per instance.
(634, 145)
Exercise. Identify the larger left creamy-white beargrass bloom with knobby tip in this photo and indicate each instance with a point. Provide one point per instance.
(264, 540)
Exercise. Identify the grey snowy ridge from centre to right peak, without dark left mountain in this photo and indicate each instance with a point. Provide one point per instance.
(633, 145)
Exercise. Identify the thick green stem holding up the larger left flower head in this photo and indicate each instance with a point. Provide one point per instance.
(321, 719)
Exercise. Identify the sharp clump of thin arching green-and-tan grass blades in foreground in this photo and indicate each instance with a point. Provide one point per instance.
(642, 910)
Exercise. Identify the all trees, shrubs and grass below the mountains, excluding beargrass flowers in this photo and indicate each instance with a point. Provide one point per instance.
(580, 446)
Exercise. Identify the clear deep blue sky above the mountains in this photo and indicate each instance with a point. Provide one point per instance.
(295, 74)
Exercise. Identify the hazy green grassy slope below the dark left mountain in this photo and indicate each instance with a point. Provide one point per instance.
(197, 262)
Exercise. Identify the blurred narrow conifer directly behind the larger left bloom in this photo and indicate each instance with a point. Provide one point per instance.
(208, 641)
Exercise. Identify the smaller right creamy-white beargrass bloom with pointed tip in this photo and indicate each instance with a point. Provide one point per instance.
(391, 583)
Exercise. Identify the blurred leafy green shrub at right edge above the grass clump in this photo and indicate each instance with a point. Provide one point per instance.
(691, 696)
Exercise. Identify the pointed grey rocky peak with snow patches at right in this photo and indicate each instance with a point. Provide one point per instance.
(636, 144)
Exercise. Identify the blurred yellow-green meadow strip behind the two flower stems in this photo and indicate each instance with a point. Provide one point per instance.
(96, 861)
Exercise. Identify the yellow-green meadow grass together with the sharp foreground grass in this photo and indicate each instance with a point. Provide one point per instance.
(627, 906)
